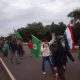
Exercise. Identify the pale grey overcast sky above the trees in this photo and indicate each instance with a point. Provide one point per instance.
(15, 14)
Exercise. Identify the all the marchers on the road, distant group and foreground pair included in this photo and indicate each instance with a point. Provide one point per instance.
(55, 52)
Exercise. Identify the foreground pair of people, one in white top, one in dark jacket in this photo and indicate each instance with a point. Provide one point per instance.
(56, 52)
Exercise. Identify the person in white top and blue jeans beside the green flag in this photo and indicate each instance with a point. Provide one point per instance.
(45, 52)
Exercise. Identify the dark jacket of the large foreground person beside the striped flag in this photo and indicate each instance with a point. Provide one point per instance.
(60, 54)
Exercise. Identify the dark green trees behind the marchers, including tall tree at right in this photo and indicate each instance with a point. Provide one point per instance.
(40, 31)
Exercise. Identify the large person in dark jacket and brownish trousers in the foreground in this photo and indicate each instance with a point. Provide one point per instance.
(59, 56)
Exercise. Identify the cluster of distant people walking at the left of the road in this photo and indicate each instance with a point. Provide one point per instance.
(14, 47)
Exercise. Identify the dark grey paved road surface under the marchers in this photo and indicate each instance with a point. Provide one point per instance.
(30, 69)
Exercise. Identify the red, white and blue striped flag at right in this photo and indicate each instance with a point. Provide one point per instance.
(69, 36)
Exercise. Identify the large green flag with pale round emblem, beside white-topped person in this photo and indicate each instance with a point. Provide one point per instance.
(36, 46)
